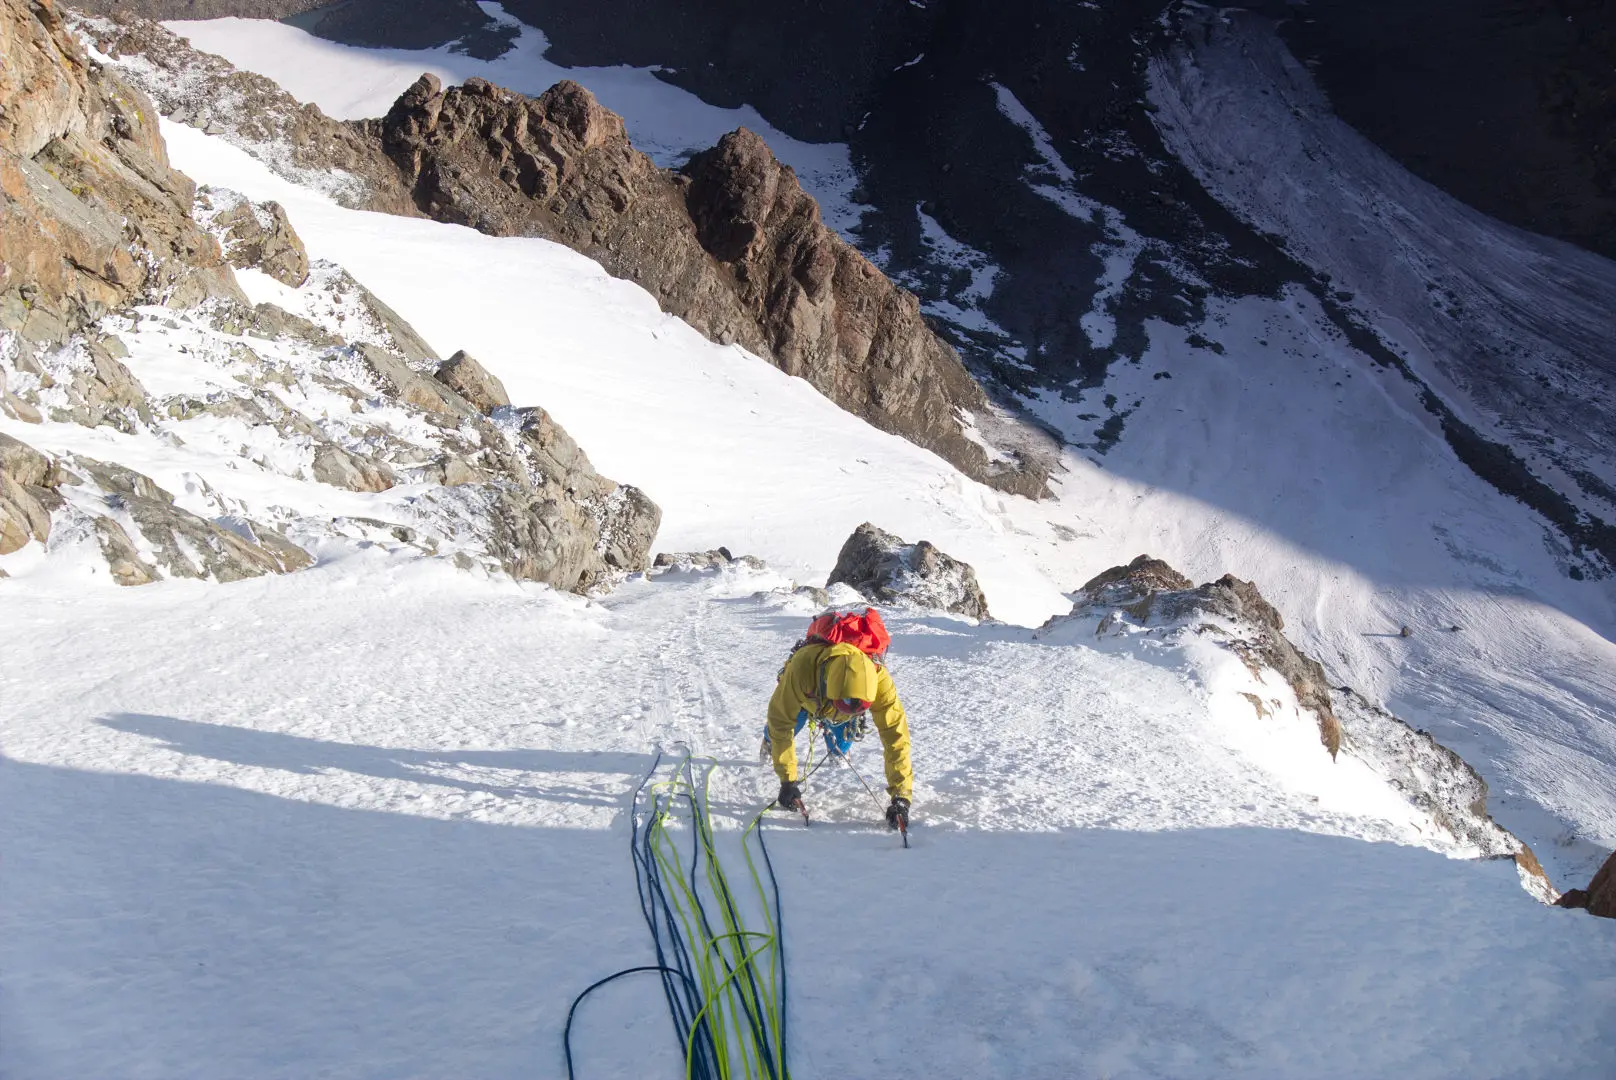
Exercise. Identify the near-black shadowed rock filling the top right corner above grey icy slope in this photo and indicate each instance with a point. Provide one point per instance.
(1505, 104)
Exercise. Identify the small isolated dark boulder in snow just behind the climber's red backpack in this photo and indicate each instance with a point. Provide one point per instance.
(886, 570)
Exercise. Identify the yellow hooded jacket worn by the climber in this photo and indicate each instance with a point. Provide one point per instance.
(819, 675)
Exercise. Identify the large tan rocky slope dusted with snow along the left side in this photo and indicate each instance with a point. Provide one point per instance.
(342, 392)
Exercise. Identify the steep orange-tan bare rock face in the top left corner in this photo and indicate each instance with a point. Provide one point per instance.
(91, 214)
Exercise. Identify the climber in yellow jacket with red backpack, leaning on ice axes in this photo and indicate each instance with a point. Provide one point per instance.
(838, 677)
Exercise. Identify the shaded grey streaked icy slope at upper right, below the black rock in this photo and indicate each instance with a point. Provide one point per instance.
(1513, 329)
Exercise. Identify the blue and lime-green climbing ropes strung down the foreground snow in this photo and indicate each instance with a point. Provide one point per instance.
(725, 982)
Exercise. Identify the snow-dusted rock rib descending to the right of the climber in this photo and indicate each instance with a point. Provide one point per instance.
(1151, 597)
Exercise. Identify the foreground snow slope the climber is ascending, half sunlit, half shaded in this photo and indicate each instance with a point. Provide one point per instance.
(261, 838)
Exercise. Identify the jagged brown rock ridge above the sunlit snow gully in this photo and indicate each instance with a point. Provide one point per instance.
(733, 247)
